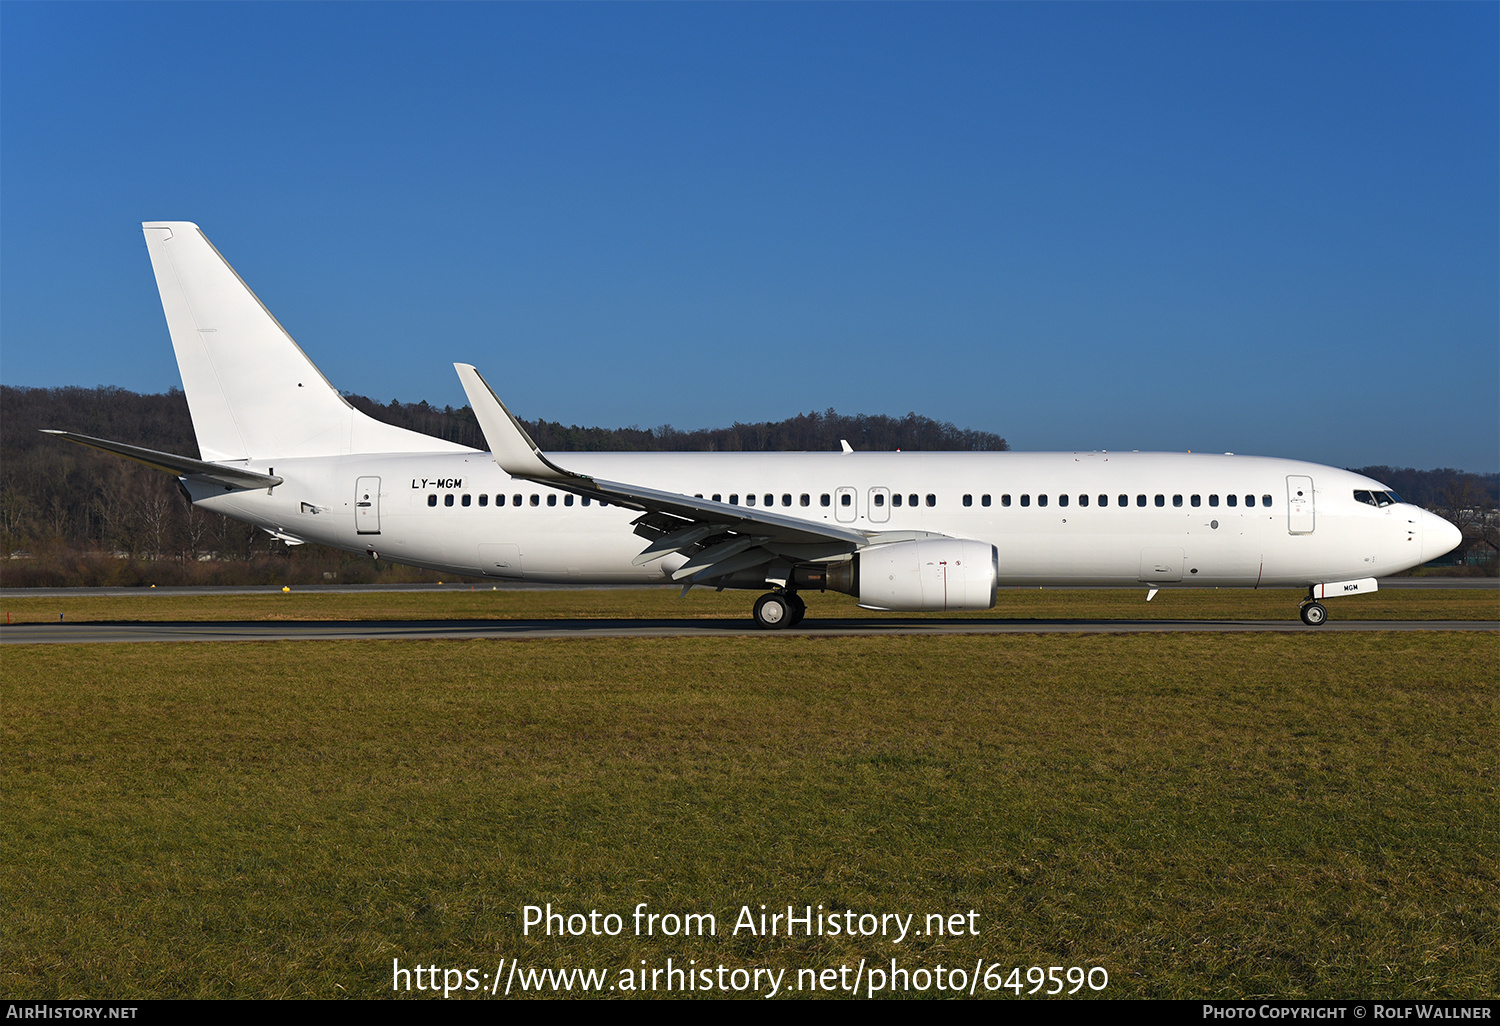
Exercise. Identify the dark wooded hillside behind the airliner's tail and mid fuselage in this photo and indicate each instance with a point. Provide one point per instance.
(76, 517)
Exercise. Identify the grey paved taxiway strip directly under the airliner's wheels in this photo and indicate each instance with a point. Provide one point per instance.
(533, 629)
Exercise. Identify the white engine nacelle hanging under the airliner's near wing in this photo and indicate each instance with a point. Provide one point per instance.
(938, 574)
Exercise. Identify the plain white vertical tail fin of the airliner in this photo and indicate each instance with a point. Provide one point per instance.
(253, 392)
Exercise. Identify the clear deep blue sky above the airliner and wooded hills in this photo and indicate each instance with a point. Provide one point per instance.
(1264, 229)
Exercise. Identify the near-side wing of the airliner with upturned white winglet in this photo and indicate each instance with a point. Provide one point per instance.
(718, 538)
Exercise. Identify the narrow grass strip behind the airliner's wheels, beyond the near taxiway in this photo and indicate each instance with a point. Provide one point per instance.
(664, 604)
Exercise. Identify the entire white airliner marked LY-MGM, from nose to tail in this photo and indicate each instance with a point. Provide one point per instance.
(902, 532)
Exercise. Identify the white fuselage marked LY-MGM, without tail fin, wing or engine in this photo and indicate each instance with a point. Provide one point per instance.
(1054, 518)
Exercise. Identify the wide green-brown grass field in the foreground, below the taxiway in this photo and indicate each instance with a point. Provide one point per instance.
(1282, 815)
